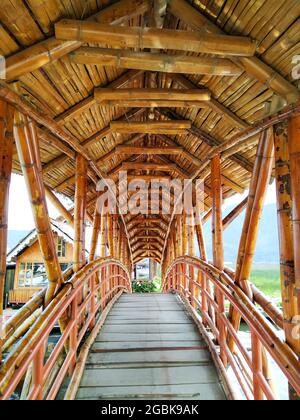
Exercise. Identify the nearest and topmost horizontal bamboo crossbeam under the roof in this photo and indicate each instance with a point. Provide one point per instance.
(166, 39)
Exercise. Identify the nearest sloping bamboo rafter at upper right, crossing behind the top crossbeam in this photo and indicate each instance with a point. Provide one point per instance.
(253, 66)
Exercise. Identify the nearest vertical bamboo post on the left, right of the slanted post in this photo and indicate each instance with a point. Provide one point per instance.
(80, 213)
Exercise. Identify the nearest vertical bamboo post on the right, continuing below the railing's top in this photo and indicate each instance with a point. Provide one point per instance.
(218, 246)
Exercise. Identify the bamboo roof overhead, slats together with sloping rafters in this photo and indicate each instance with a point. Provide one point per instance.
(64, 89)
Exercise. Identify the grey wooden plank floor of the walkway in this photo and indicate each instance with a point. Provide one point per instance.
(149, 348)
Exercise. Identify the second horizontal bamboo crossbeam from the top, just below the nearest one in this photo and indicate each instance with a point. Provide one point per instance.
(165, 63)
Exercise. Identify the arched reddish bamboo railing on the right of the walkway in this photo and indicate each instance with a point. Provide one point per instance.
(198, 282)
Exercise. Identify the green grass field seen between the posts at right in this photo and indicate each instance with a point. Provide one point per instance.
(267, 278)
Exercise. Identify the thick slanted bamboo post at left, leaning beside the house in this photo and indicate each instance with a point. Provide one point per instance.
(28, 149)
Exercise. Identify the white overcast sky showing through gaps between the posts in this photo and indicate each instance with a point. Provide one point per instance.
(20, 216)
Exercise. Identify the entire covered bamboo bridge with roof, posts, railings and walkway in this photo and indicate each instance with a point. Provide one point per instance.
(161, 90)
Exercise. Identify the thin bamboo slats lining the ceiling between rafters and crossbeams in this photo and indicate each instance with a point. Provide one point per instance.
(61, 88)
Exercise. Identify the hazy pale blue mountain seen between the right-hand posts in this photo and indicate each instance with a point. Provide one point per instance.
(267, 250)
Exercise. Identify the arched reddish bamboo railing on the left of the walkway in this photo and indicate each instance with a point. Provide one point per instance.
(82, 304)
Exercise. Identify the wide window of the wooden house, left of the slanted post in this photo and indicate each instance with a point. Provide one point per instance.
(32, 275)
